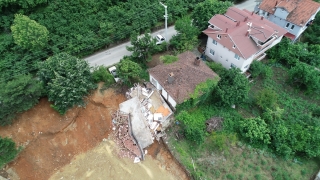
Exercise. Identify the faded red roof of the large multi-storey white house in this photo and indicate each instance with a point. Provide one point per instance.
(240, 31)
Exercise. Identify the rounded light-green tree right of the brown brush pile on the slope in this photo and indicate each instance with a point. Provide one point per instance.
(255, 130)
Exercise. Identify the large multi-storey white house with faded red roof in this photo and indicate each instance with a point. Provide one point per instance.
(239, 37)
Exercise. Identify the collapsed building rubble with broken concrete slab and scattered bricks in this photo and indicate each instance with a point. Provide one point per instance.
(141, 119)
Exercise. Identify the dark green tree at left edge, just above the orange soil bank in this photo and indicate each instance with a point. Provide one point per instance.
(18, 95)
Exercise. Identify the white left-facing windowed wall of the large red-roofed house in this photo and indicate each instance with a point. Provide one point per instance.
(224, 56)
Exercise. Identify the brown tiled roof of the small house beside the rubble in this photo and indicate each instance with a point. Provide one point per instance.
(186, 76)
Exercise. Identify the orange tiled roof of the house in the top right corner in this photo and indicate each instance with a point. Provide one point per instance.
(299, 11)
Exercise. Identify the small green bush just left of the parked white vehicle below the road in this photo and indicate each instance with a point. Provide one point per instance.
(100, 74)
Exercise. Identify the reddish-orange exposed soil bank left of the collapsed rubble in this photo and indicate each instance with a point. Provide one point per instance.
(52, 141)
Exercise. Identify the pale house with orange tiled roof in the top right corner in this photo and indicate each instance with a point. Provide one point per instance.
(293, 15)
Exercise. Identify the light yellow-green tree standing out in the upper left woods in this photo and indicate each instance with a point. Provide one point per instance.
(28, 33)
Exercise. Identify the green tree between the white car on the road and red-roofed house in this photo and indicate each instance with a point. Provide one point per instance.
(187, 36)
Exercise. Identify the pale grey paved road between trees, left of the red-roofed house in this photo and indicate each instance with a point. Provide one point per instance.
(113, 55)
